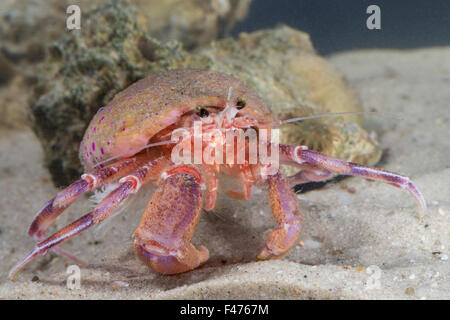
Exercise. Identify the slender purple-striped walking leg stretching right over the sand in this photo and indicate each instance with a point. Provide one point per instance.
(297, 155)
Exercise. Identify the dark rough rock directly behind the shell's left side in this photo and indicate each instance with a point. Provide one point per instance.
(82, 72)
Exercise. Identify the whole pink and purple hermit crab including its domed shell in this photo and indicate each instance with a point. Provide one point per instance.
(130, 142)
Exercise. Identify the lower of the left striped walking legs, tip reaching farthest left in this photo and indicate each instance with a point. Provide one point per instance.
(128, 185)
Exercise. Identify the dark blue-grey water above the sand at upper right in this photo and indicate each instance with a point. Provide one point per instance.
(338, 25)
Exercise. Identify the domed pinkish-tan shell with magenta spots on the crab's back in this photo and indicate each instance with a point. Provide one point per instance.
(148, 106)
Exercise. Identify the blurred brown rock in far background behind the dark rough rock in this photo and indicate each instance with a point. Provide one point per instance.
(28, 27)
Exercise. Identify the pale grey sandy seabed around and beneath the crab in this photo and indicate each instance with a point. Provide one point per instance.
(368, 244)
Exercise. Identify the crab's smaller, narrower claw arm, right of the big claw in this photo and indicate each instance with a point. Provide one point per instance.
(287, 214)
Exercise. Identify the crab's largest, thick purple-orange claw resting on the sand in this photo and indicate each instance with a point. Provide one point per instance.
(162, 240)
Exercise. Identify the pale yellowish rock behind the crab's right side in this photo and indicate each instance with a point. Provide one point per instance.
(283, 67)
